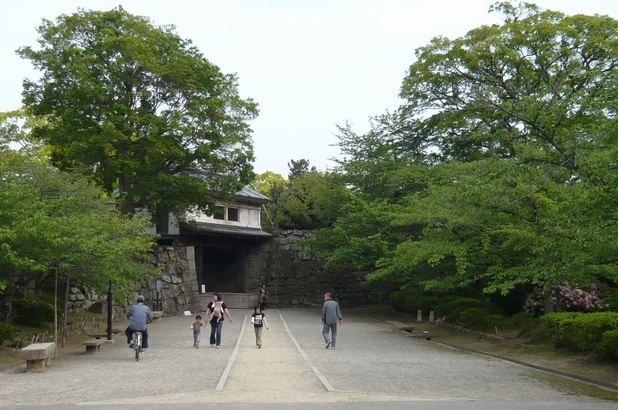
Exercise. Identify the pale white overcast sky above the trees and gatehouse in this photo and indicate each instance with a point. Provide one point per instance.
(310, 65)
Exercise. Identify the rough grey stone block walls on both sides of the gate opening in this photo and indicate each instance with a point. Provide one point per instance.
(292, 275)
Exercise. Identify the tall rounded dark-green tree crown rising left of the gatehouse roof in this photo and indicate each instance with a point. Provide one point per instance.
(140, 110)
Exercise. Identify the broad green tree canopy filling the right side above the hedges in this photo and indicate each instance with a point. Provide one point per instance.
(500, 167)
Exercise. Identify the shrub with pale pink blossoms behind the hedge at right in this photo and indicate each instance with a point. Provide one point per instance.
(565, 298)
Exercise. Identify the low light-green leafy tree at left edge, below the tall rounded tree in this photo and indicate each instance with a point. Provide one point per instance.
(55, 222)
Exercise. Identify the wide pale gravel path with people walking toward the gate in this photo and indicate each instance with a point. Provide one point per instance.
(373, 360)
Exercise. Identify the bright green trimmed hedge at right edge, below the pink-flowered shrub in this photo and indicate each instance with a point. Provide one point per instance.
(597, 332)
